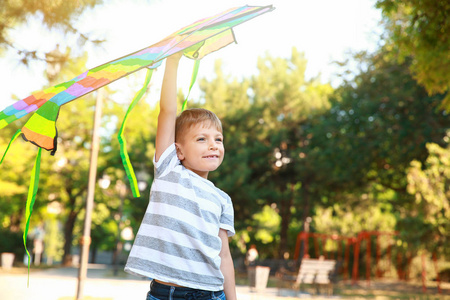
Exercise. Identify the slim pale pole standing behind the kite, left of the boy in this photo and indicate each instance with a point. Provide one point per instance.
(86, 238)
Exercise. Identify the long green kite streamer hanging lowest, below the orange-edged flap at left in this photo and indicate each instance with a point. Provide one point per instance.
(32, 191)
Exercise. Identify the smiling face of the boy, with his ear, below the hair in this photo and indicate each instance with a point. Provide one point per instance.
(201, 149)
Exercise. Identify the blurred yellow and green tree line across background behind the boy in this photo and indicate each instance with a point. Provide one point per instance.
(294, 149)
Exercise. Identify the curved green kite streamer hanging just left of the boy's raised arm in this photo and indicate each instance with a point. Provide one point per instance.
(123, 144)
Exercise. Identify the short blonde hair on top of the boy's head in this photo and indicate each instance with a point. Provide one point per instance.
(194, 116)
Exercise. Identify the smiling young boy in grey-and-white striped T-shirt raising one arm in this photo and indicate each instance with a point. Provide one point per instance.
(182, 243)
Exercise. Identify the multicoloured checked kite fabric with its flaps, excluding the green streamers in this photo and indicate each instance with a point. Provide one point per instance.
(196, 41)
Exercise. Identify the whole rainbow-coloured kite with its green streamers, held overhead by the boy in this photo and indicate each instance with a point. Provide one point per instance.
(195, 41)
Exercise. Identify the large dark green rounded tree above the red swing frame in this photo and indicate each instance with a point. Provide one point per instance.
(380, 121)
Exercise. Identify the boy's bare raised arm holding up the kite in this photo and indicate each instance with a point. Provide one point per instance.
(165, 134)
